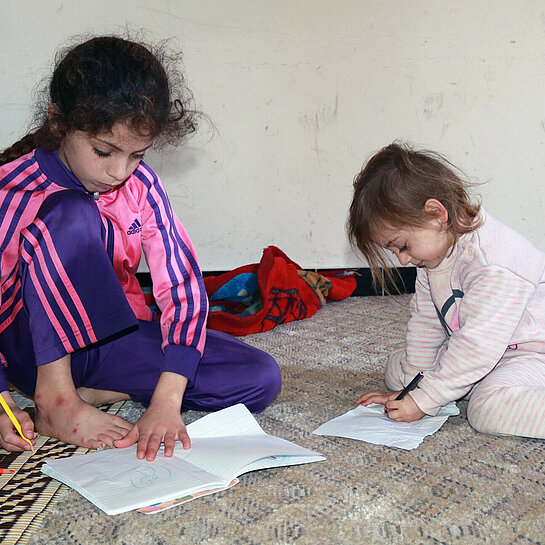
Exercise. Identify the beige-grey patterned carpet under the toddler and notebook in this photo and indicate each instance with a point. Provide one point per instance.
(458, 487)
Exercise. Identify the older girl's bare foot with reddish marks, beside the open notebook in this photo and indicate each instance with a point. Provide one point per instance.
(72, 420)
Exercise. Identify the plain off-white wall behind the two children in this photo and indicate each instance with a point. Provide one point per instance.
(301, 92)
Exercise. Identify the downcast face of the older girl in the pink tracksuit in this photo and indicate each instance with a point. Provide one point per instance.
(103, 161)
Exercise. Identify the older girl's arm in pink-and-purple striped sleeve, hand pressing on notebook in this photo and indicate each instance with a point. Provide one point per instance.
(179, 292)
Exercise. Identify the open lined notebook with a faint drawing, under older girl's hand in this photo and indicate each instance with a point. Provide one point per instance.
(224, 445)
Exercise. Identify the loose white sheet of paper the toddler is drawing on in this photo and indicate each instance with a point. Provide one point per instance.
(370, 424)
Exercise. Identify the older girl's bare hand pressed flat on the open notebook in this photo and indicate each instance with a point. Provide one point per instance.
(162, 422)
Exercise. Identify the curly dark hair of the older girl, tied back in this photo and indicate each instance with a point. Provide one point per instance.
(107, 80)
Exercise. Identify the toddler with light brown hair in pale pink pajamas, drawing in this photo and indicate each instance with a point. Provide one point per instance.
(477, 324)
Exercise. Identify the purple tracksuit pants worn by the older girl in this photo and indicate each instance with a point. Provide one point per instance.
(127, 358)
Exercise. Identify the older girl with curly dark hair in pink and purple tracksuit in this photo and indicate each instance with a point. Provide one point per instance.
(78, 206)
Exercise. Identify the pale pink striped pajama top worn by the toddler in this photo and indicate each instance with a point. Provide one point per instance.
(485, 302)
